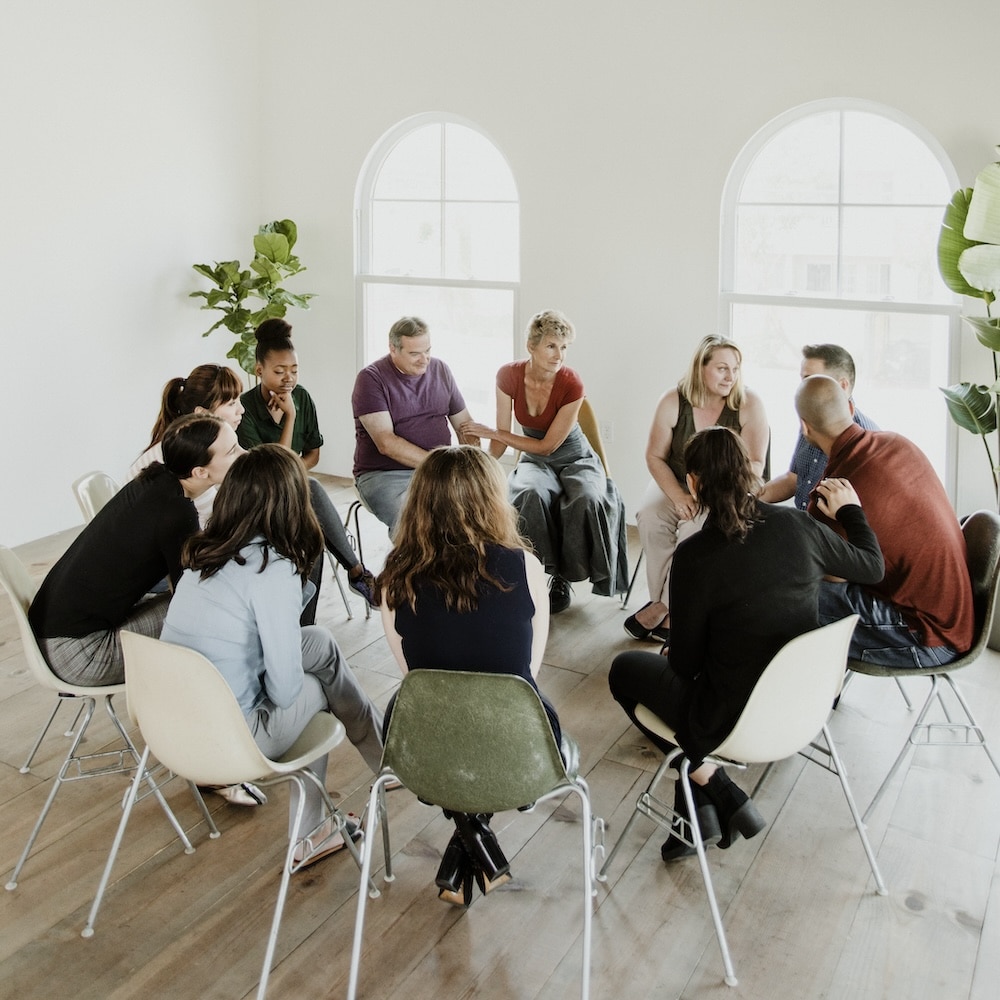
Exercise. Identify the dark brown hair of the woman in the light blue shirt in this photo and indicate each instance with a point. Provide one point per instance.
(265, 495)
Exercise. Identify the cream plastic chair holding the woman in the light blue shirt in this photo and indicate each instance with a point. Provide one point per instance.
(192, 723)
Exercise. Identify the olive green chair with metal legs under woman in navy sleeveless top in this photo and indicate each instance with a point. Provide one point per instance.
(475, 743)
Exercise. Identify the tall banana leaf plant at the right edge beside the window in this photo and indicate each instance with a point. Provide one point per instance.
(969, 262)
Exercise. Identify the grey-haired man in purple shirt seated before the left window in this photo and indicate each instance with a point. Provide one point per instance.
(402, 404)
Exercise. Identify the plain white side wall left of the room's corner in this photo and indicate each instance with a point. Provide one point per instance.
(129, 134)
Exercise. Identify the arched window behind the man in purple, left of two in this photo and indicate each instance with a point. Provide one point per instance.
(438, 237)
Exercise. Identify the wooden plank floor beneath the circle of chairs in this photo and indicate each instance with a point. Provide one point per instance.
(798, 901)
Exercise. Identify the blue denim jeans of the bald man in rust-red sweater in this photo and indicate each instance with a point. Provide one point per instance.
(882, 635)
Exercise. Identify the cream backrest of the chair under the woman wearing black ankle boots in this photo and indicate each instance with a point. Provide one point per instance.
(792, 697)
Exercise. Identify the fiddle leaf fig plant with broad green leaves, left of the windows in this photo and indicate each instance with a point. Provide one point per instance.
(235, 287)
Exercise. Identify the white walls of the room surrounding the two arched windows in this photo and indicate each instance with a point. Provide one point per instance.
(620, 121)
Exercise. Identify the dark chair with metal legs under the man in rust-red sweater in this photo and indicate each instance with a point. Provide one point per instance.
(982, 545)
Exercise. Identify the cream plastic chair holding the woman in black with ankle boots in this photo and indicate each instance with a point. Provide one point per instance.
(788, 706)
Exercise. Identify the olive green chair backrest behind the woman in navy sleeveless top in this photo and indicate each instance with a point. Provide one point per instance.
(471, 742)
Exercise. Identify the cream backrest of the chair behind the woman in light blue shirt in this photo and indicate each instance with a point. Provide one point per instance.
(188, 714)
